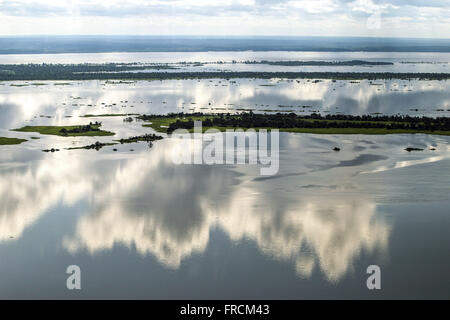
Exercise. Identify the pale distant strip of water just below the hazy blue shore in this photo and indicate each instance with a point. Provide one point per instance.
(435, 62)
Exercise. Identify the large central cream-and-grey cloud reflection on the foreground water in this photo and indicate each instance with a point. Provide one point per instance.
(168, 212)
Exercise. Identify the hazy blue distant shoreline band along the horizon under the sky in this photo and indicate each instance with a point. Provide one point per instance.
(106, 44)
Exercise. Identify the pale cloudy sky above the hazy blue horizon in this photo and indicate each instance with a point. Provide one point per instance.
(380, 18)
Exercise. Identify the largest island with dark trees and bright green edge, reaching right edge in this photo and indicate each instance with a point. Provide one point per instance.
(291, 122)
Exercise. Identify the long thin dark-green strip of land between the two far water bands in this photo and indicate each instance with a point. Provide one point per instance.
(39, 72)
